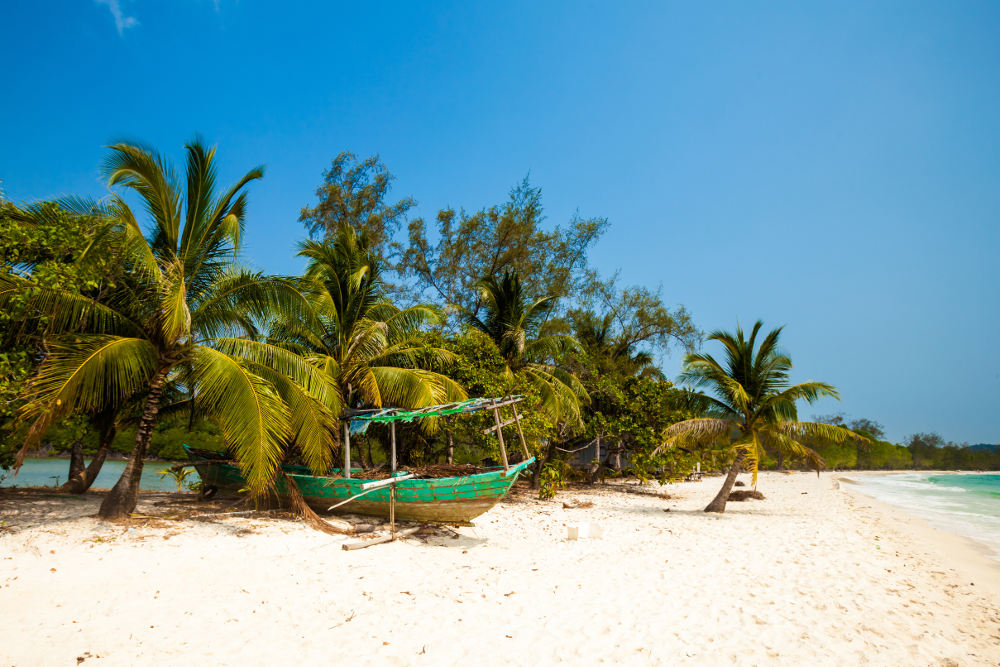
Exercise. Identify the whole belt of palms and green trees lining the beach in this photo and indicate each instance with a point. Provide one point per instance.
(155, 335)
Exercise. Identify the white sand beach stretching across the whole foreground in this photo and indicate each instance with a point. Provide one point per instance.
(814, 574)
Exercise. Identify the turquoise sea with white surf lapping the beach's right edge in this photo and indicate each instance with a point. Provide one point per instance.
(967, 504)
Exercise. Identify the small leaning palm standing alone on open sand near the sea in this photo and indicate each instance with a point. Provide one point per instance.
(753, 407)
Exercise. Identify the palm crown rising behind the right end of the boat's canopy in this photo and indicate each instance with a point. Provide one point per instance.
(513, 323)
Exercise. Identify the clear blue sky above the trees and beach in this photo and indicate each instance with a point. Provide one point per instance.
(830, 167)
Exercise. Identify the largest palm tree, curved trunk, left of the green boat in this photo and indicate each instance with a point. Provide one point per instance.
(185, 314)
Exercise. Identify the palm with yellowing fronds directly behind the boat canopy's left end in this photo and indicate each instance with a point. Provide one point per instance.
(368, 349)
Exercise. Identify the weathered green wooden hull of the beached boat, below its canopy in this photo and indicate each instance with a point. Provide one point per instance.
(452, 500)
